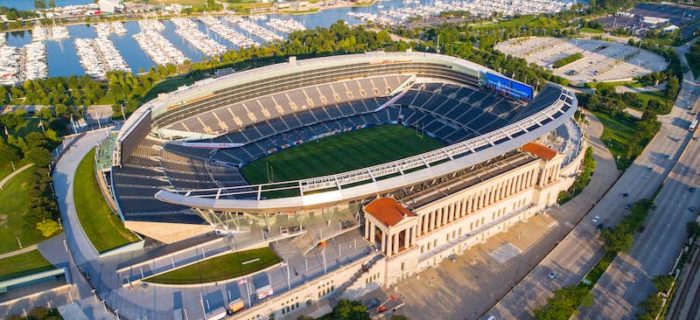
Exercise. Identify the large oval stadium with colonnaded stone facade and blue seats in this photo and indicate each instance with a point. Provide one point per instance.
(409, 156)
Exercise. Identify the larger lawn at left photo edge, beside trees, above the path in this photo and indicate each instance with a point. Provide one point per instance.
(14, 206)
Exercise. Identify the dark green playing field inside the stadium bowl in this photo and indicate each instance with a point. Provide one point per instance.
(340, 153)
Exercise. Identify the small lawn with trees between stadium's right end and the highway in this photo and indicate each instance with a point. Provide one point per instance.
(617, 134)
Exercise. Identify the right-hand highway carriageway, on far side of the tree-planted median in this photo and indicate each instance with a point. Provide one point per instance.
(627, 282)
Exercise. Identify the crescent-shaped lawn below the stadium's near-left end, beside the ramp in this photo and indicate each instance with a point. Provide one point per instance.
(220, 268)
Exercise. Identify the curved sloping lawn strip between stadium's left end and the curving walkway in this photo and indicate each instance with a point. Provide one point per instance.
(103, 228)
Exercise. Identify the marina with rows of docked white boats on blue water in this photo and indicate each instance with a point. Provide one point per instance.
(210, 36)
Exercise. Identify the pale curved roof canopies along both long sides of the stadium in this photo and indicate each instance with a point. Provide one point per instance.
(553, 106)
